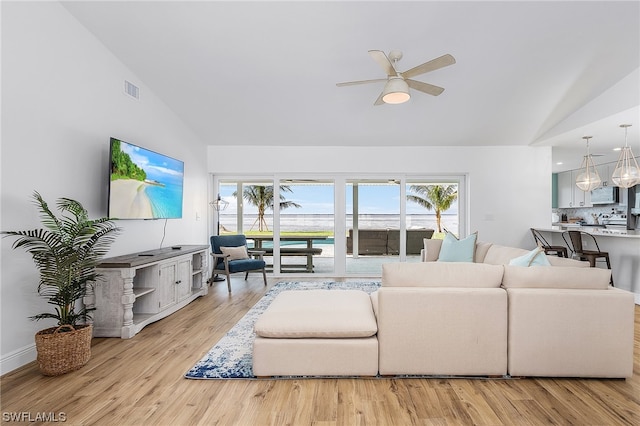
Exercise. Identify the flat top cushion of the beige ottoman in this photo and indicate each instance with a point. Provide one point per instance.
(319, 314)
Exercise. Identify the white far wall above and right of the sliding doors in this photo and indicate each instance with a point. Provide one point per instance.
(509, 187)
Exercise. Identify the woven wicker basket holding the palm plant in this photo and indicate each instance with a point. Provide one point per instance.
(60, 352)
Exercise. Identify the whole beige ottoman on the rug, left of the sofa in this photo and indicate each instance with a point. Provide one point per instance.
(317, 333)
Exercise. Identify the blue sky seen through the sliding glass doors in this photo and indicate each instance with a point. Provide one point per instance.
(319, 199)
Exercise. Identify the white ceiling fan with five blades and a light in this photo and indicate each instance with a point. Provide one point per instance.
(396, 89)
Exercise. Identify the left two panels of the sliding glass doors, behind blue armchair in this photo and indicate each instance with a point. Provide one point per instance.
(292, 222)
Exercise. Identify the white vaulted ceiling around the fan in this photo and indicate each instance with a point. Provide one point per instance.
(253, 73)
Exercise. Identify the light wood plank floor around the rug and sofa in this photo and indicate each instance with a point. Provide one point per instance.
(140, 382)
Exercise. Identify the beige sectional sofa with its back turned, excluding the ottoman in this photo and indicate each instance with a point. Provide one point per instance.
(562, 321)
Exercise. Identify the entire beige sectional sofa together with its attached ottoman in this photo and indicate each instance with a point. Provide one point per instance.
(482, 318)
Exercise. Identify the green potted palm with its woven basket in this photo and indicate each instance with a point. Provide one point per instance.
(66, 252)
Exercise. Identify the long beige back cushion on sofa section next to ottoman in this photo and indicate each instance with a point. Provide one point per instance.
(442, 274)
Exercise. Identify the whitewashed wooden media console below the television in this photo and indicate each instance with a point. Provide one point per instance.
(140, 288)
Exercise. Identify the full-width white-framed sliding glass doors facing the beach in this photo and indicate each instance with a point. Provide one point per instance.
(382, 219)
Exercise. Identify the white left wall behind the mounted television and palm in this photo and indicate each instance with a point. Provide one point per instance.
(62, 98)
